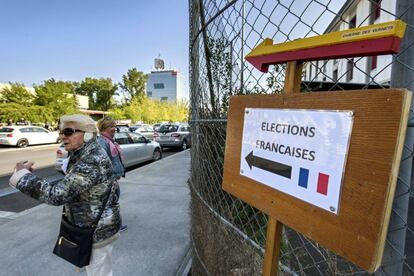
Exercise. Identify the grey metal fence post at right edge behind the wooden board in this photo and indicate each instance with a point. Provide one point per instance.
(402, 76)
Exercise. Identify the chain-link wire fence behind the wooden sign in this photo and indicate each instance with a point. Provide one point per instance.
(228, 235)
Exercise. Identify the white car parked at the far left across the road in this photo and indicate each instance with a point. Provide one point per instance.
(23, 136)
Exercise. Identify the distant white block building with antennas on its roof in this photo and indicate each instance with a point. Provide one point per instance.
(166, 85)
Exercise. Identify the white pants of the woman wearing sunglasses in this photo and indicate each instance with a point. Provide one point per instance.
(101, 262)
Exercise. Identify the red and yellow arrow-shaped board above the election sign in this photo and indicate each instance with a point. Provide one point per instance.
(377, 39)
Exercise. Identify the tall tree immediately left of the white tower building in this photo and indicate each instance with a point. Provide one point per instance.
(133, 84)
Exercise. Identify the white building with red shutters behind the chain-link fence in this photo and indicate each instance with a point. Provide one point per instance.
(355, 13)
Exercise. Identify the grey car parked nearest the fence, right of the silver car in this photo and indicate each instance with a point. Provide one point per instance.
(173, 135)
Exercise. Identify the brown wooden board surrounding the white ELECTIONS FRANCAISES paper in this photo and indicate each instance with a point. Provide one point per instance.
(359, 230)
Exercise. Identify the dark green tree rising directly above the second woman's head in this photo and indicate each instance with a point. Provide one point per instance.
(99, 91)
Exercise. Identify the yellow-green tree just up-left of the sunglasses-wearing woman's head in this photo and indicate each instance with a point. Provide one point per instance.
(56, 96)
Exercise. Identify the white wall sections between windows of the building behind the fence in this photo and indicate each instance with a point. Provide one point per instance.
(362, 72)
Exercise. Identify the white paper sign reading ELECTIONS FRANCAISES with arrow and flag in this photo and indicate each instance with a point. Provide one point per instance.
(299, 152)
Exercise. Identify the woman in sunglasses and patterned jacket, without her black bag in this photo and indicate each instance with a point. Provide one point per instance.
(89, 175)
